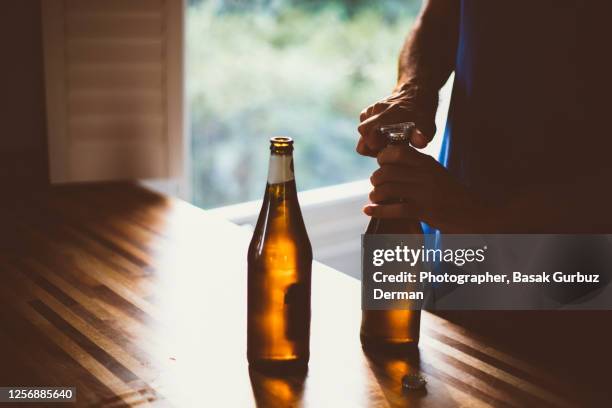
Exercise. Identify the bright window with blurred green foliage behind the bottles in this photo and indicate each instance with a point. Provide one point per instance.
(299, 68)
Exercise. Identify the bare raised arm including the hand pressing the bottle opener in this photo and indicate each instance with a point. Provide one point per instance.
(426, 60)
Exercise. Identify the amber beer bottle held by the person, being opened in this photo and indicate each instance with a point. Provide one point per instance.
(396, 329)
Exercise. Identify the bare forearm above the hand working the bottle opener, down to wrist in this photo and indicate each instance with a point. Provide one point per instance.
(428, 55)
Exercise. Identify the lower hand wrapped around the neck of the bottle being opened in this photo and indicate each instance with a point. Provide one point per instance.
(427, 190)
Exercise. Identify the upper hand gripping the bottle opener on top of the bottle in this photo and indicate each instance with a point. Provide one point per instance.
(399, 107)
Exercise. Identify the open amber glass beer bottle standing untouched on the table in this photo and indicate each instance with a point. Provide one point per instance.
(279, 271)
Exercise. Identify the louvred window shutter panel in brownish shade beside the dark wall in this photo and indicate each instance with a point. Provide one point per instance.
(114, 88)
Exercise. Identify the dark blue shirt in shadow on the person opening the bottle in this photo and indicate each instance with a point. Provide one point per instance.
(529, 82)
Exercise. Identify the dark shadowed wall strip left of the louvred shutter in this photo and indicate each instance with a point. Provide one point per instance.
(22, 97)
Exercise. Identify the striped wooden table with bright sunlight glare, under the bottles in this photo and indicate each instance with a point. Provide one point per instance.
(138, 299)
